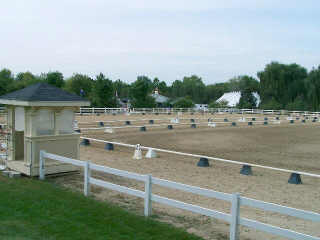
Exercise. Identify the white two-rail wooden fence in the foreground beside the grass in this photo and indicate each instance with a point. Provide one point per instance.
(236, 200)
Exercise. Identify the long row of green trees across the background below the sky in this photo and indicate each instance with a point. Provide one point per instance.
(280, 86)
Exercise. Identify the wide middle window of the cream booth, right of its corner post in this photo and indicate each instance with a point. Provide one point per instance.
(45, 122)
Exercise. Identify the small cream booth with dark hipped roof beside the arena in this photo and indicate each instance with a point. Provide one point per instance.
(41, 116)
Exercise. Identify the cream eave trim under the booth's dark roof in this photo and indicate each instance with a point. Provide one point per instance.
(45, 104)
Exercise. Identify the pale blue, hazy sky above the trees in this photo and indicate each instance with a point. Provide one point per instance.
(168, 39)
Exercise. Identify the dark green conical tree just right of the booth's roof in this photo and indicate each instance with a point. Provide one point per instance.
(103, 94)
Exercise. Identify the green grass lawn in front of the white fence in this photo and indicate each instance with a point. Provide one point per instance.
(31, 209)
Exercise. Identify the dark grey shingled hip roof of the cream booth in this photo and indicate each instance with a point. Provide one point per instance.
(42, 92)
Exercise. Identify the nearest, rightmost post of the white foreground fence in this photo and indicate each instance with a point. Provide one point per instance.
(235, 210)
